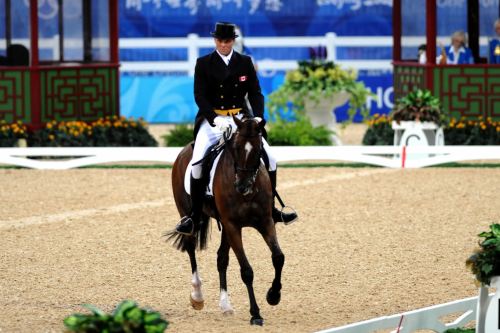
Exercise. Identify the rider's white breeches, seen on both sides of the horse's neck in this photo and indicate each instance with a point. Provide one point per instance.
(208, 135)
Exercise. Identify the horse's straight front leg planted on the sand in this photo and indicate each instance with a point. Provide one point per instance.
(233, 235)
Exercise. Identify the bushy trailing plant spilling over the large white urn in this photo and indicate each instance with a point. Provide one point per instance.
(315, 82)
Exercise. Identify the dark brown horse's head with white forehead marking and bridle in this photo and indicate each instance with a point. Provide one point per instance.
(247, 152)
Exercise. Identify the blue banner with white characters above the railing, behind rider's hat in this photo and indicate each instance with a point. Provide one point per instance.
(140, 18)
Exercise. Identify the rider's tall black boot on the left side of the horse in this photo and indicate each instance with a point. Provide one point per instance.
(188, 224)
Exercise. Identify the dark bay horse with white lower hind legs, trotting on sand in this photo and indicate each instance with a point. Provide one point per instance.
(242, 197)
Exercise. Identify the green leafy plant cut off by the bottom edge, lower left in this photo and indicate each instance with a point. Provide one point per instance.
(126, 318)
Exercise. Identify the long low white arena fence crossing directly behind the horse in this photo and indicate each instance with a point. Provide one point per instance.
(384, 156)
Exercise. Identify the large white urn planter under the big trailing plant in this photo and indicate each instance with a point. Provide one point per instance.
(322, 112)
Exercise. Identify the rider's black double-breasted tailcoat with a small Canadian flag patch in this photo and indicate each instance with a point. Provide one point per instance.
(221, 87)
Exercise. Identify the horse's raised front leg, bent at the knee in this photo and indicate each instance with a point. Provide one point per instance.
(274, 293)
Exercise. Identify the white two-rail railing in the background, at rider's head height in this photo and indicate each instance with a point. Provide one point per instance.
(192, 43)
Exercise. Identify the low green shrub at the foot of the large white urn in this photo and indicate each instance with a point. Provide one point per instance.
(298, 133)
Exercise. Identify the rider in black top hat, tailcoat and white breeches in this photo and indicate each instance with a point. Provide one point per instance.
(222, 80)
